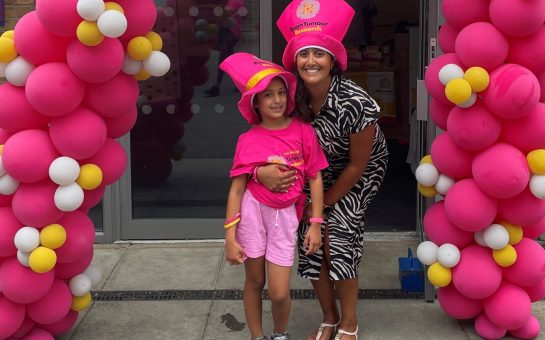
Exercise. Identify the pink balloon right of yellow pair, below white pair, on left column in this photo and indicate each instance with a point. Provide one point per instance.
(80, 234)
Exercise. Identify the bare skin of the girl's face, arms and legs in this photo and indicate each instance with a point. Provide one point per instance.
(271, 104)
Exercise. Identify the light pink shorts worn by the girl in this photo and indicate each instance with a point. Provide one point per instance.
(267, 231)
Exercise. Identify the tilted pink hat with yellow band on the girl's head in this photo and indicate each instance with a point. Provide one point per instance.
(252, 75)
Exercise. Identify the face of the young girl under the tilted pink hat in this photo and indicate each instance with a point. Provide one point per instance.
(271, 103)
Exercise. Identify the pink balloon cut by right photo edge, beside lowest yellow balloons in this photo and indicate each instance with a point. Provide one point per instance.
(529, 269)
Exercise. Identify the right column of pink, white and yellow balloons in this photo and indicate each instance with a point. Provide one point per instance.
(487, 91)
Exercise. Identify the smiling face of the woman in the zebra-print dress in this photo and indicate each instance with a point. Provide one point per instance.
(314, 65)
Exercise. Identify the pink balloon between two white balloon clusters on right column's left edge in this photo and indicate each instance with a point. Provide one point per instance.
(440, 230)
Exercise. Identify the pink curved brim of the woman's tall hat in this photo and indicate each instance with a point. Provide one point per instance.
(310, 39)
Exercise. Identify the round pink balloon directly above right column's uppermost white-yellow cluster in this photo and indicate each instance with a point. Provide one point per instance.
(481, 44)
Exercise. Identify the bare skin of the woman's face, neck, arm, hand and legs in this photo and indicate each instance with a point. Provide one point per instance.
(313, 66)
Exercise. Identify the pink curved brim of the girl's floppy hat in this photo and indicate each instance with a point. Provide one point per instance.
(245, 104)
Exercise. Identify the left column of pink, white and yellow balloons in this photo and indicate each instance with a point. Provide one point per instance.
(71, 69)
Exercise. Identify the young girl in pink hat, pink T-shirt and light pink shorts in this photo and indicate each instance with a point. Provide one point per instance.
(261, 226)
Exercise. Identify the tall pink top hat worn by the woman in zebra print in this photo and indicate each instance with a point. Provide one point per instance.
(315, 23)
